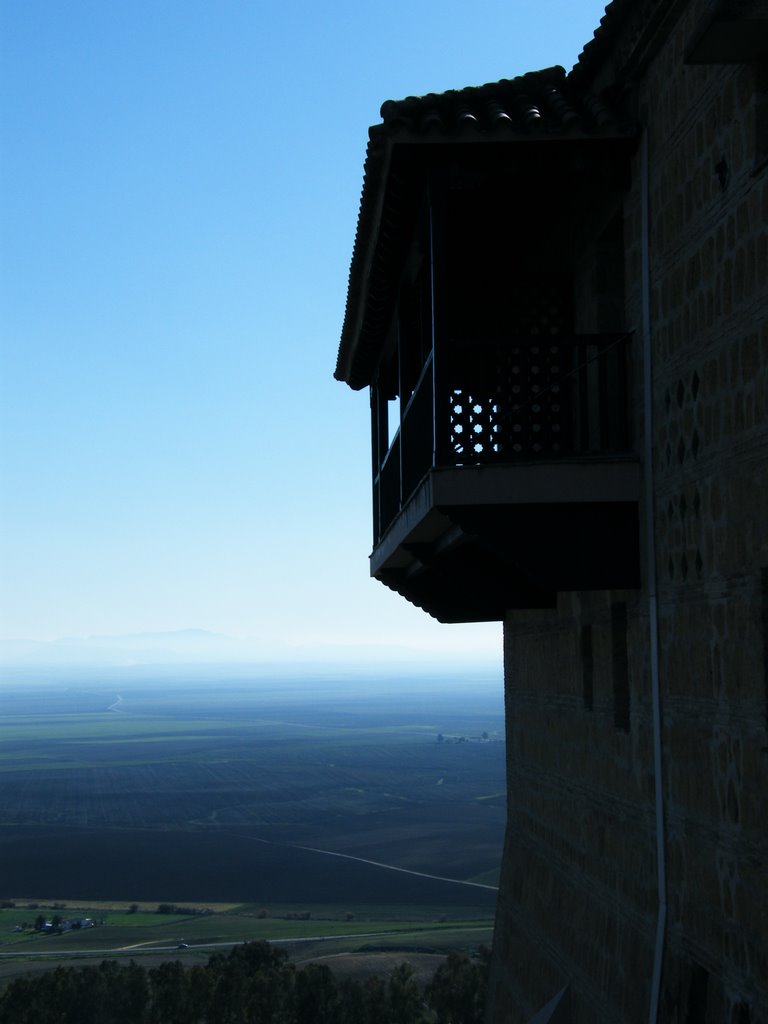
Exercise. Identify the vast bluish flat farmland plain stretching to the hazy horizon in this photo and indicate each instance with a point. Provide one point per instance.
(248, 791)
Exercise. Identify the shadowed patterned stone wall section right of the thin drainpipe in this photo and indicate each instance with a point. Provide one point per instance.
(710, 277)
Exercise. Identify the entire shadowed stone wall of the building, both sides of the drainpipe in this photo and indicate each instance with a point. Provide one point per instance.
(579, 899)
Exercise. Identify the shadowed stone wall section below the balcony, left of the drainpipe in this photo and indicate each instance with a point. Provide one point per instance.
(576, 904)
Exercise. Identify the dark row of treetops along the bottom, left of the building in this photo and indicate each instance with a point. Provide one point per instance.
(253, 985)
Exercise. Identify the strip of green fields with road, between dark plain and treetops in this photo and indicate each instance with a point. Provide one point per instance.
(358, 948)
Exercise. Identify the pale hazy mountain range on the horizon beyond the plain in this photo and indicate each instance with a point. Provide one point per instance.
(204, 648)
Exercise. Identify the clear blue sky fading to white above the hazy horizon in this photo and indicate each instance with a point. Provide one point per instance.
(179, 200)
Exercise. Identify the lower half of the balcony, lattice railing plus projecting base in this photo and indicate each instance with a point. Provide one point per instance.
(511, 478)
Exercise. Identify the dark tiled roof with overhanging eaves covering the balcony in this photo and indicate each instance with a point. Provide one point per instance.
(540, 107)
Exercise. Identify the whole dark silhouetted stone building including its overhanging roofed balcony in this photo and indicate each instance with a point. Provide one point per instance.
(558, 301)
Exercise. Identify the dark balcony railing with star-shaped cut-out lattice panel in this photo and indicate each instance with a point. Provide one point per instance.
(506, 402)
